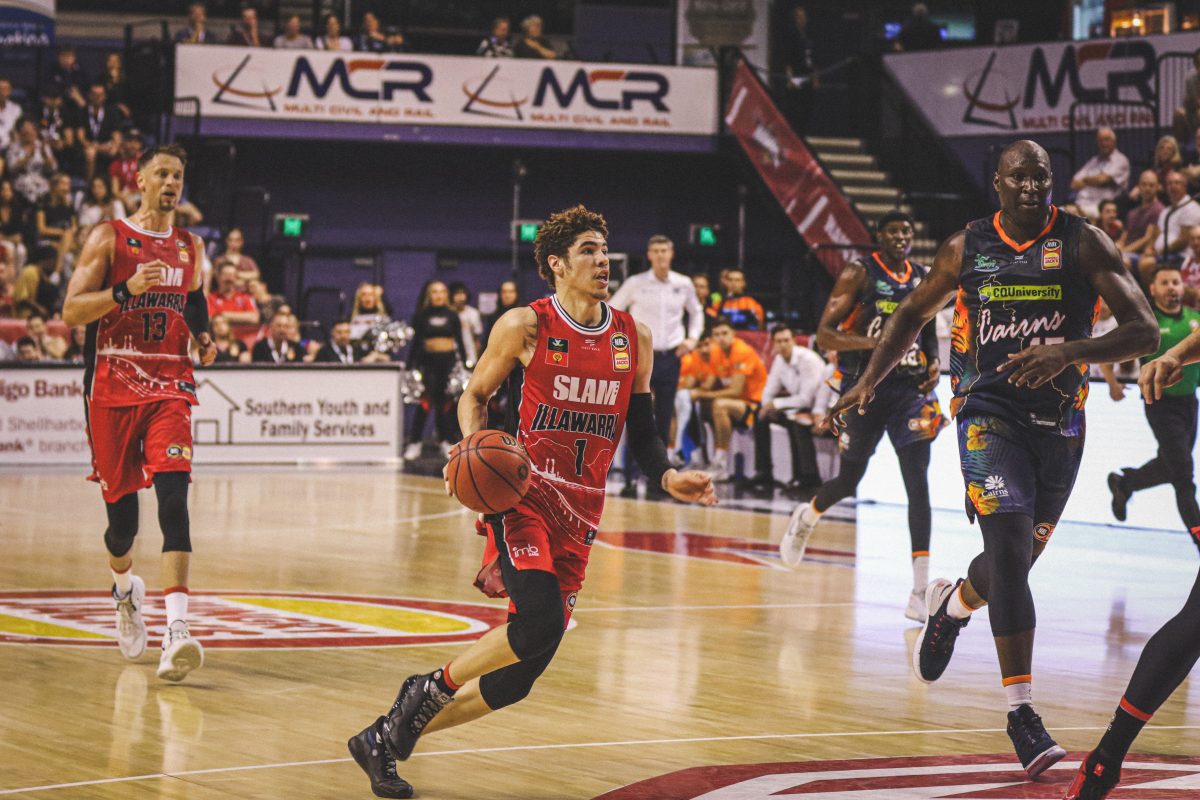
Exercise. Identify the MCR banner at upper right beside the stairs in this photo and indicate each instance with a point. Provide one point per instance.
(1029, 89)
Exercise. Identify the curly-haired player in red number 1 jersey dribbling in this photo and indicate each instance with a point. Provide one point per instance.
(587, 372)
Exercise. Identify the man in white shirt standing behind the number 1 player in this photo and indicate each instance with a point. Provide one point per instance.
(658, 299)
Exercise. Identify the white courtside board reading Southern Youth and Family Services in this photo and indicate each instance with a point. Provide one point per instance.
(247, 416)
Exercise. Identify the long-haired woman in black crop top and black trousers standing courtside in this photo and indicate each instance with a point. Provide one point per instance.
(437, 347)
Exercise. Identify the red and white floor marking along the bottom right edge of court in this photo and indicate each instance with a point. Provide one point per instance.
(928, 778)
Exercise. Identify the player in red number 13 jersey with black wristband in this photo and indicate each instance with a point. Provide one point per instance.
(137, 288)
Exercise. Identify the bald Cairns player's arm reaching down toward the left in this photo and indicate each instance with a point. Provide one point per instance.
(907, 323)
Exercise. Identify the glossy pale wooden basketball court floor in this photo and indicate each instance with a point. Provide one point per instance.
(693, 649)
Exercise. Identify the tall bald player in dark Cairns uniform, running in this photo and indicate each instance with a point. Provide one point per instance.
(1027, 285)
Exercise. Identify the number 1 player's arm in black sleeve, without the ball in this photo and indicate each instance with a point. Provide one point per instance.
(691, 486)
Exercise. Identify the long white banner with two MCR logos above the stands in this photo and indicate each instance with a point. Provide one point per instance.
(409, 89)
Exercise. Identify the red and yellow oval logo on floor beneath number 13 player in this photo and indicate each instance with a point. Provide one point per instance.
(250, 619)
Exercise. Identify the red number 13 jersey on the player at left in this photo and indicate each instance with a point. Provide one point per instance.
(139, 353)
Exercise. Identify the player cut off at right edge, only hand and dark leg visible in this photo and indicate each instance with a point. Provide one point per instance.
(1173, 652)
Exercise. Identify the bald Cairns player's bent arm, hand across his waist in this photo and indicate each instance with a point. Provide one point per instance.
(1136, 335)
